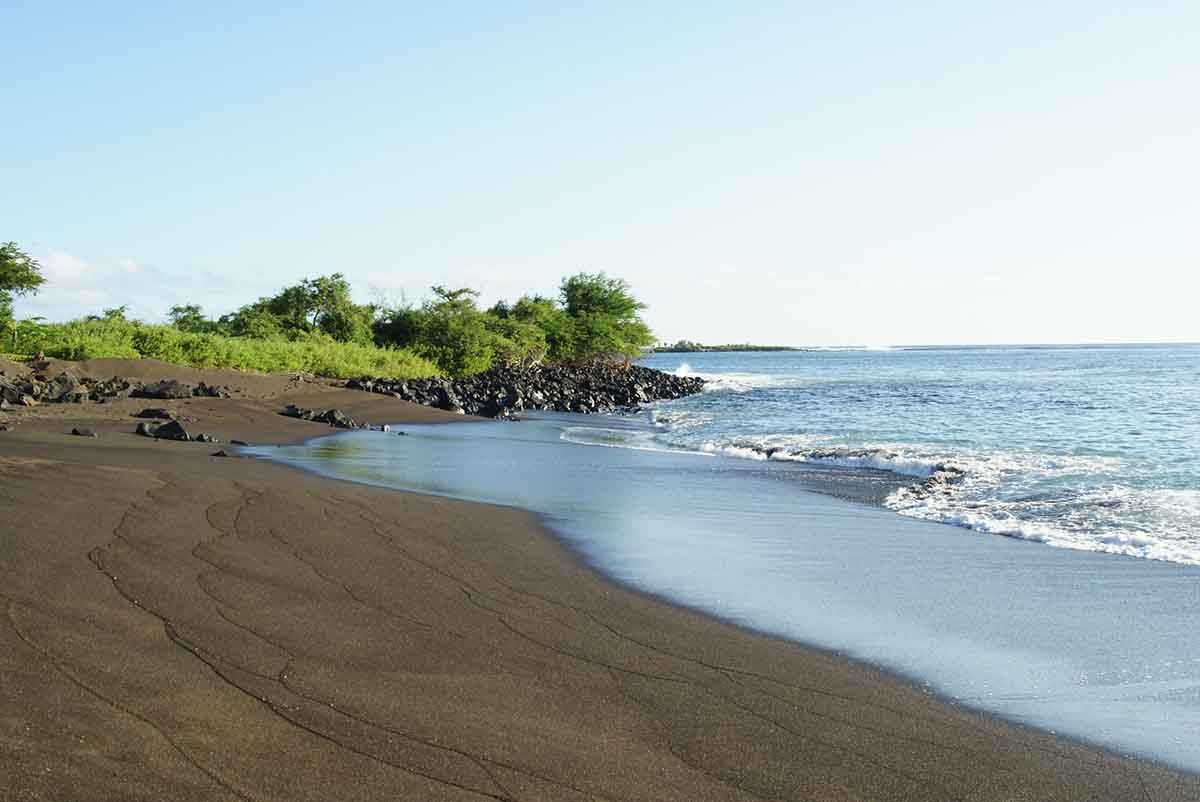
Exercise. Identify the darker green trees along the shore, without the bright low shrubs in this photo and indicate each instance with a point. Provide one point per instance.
(595, 316)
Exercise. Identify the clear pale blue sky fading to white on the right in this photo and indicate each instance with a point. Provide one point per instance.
(829, 175)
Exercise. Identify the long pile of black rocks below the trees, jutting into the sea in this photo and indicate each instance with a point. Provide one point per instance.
(502, 392)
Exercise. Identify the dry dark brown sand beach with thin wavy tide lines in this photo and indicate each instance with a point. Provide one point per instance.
(184, 627)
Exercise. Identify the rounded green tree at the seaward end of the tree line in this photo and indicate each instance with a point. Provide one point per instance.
(605, 315)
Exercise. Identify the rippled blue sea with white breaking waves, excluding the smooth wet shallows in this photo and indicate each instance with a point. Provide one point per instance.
(1094, 448)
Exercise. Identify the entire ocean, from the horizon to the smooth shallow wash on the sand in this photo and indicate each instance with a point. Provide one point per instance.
(1017, 530)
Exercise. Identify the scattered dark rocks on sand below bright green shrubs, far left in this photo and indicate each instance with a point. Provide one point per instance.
(38, 388)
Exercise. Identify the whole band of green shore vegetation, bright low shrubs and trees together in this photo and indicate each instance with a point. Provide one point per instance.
(316, 327)
